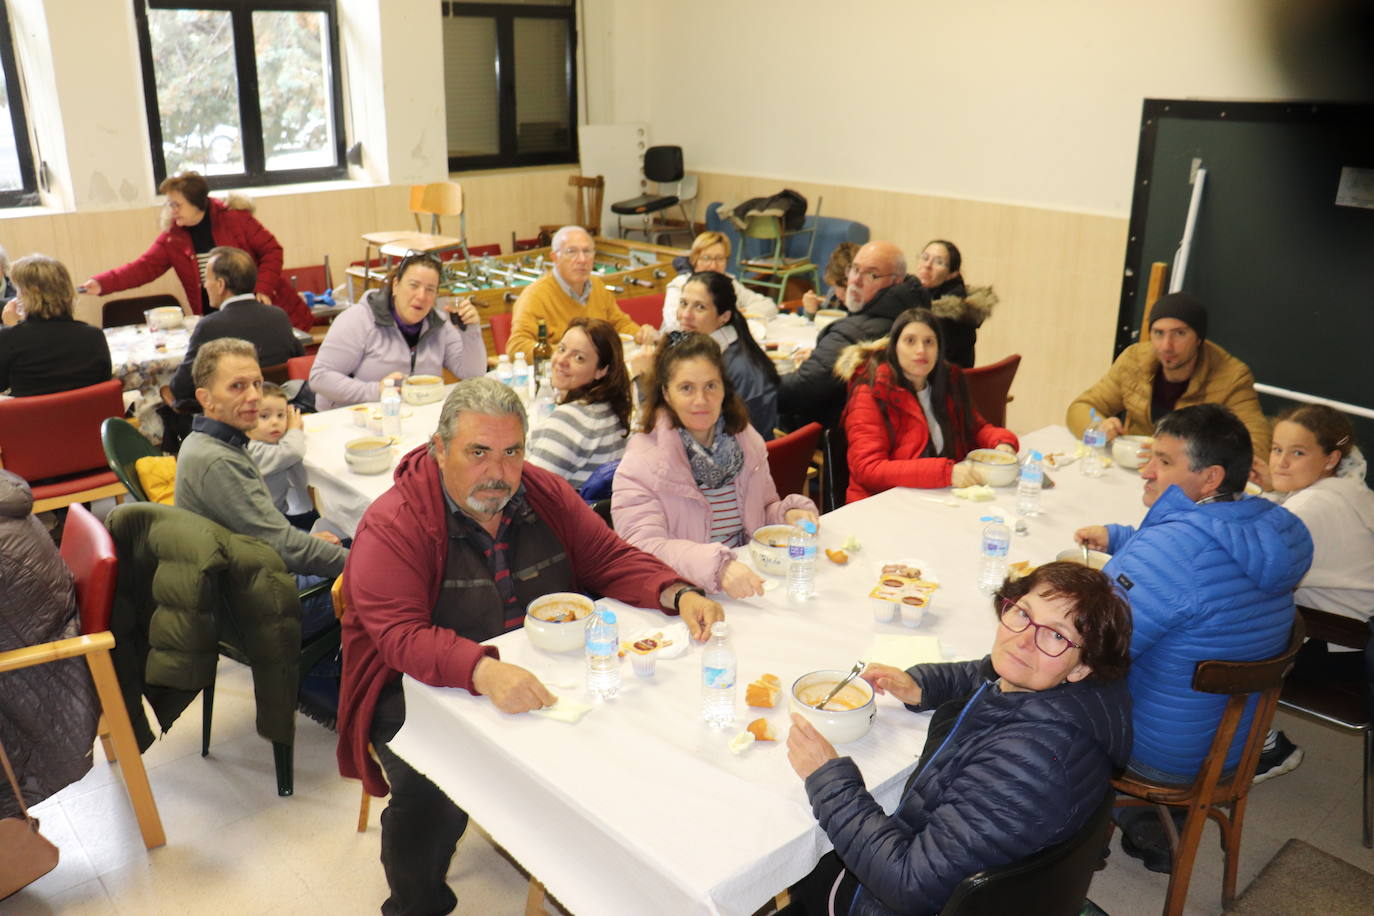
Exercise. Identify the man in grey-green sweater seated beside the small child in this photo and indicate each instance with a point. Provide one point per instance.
(215, 476)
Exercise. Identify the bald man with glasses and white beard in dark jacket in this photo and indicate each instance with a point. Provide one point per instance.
(879, 292)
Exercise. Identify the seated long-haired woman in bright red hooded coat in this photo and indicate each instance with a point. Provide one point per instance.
(909, 418)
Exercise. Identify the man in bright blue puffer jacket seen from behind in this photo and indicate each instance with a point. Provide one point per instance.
(1210, 575)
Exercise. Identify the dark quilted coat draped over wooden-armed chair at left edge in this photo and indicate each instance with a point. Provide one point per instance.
(49, 713)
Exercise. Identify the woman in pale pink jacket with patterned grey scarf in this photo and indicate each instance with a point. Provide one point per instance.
(695, 483)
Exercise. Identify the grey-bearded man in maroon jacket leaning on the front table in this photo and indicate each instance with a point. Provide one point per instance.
(450, 558)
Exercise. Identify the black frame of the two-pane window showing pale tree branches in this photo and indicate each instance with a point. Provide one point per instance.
(251, 113)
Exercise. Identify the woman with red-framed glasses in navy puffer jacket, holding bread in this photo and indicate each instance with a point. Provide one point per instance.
(1019, 756)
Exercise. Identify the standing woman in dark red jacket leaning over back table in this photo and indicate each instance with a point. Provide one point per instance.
(193, 225)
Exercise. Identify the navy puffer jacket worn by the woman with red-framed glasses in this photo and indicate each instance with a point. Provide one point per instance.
(1019, 772)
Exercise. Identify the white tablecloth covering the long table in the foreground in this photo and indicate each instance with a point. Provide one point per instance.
(641, 808)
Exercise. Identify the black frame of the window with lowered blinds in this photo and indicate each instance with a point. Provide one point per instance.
(505, 14)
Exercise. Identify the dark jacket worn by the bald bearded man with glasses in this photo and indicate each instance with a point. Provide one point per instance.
(814, 392)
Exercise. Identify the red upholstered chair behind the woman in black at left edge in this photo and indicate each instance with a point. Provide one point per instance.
(57, 439)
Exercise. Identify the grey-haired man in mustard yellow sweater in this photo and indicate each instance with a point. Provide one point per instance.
(570, 290)
